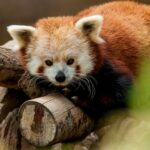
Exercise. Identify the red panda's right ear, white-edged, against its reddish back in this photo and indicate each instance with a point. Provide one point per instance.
(91, 26)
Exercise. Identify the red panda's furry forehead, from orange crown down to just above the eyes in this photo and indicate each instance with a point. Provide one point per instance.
(59, 37)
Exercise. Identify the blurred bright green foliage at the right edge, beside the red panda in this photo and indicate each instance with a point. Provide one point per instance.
(139, 98)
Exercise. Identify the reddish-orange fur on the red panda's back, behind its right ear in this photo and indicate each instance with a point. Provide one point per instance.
(126, 30)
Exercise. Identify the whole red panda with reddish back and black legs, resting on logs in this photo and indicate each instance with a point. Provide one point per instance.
(96, 53)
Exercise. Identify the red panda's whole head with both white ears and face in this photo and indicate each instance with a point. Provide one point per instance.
(58, 48)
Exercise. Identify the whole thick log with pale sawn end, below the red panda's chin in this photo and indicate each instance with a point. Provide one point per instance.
(52, 119)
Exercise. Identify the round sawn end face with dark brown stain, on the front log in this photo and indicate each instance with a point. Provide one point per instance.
(37, 124)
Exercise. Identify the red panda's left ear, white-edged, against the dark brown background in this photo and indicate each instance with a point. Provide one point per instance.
(21, 34)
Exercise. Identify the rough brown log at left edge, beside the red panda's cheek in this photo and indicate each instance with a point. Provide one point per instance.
(10, 68)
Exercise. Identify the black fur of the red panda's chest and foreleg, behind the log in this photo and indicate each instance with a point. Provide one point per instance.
(111, 91)
